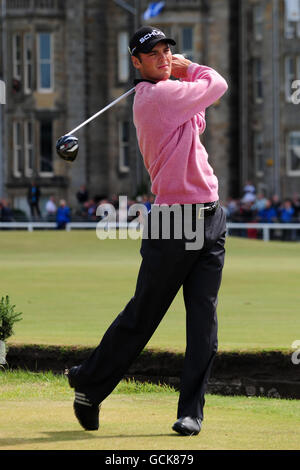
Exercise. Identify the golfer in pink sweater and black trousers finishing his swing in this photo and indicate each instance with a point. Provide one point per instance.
(168, 115)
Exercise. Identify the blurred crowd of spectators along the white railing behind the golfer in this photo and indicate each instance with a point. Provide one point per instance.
(252, 207)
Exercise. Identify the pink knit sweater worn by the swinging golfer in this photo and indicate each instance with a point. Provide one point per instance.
(169, 116)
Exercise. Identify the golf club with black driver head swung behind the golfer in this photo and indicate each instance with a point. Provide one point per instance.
(67, 146)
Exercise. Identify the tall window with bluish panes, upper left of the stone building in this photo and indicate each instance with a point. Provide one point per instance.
(45, 65)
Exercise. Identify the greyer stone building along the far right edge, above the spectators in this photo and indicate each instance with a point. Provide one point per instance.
(270, 112)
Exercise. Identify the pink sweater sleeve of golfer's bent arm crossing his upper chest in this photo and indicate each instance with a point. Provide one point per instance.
(182, 100)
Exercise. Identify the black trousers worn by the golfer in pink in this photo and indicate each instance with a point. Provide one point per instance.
(166, 267)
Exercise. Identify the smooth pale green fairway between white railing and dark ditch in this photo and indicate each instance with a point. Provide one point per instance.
(70, 286)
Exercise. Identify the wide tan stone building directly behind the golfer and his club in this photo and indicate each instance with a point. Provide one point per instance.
(64, 60)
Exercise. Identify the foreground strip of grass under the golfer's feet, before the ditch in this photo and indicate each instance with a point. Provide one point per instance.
(37, 415)
